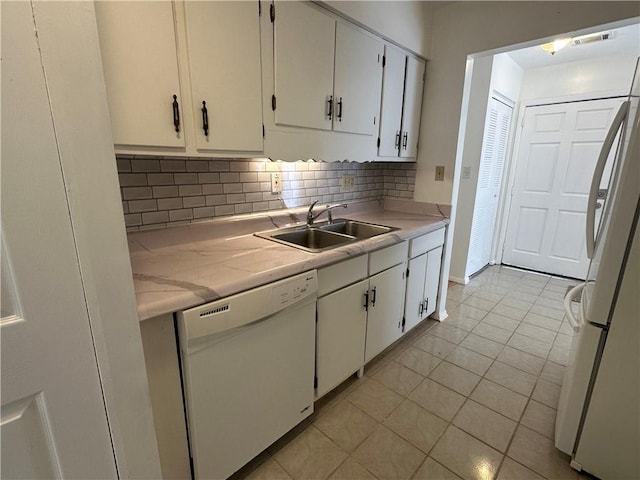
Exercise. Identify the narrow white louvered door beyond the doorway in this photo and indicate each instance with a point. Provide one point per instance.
(494, 147)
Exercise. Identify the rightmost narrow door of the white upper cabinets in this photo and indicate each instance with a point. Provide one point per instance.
(412, 107)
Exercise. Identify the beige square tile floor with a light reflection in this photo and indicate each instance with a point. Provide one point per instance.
(473, 397)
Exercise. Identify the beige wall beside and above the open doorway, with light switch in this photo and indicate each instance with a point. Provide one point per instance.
(463, 28)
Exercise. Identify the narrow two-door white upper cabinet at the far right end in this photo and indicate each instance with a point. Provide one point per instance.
(402, 87)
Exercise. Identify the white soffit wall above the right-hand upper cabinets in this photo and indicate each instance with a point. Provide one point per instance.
(406, 22)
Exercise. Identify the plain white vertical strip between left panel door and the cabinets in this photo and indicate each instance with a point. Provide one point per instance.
(68, 39)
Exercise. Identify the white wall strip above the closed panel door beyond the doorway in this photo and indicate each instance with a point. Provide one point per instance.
(595, 77)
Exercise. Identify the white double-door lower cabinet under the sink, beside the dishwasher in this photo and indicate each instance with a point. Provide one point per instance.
(360, 308)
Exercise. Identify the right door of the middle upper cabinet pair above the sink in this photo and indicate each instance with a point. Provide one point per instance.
(358, 73)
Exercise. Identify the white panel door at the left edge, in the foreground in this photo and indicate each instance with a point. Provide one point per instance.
(53, 420)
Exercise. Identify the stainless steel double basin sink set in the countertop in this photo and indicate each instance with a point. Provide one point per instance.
(319, 237)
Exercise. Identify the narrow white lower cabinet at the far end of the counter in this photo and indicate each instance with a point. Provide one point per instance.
(423, 278)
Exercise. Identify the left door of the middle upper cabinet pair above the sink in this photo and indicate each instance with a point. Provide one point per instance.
(304, 41)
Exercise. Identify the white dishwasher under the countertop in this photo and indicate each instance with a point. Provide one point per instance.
(248, 366)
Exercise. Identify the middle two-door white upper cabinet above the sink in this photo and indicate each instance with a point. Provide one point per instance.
(327, 74)
